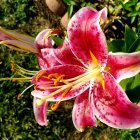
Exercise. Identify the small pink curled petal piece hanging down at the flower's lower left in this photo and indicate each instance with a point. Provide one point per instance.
(40, 112)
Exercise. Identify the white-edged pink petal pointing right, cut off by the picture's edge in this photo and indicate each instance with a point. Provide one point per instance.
(123, 65)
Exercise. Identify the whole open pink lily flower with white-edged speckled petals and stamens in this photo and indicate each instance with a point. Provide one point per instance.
(82, 67)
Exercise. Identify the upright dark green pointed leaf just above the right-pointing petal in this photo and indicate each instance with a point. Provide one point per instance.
(130, 36)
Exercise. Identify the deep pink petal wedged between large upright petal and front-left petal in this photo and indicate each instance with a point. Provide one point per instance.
(64, 54)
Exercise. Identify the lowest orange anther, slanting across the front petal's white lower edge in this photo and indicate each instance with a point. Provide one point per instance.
(56, 105)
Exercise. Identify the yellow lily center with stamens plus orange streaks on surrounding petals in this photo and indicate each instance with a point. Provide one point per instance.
(62, 85)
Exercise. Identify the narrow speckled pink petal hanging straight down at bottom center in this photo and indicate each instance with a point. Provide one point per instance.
(82, 113)
